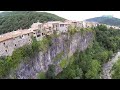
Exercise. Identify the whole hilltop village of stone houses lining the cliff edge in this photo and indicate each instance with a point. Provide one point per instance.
(13, 40)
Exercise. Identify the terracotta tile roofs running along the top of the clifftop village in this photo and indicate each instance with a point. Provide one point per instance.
(33, 28)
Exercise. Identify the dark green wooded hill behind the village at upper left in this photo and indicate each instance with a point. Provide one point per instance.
(11, 21)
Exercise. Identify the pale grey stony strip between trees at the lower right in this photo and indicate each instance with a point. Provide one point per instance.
(108, 66)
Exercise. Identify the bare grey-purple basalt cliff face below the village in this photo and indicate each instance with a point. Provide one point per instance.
(65, 46)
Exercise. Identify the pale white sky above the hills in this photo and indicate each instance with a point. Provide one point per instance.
(82, 15)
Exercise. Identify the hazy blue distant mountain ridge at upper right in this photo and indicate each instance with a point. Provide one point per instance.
(106, 19)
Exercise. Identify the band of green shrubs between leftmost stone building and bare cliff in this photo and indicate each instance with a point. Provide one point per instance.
(23, 54)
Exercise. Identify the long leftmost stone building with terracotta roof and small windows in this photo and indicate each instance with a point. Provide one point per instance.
(13, 40)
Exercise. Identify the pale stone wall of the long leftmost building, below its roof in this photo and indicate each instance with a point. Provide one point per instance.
(12, 44)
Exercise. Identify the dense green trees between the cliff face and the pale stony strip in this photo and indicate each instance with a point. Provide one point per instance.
(87, 64)
